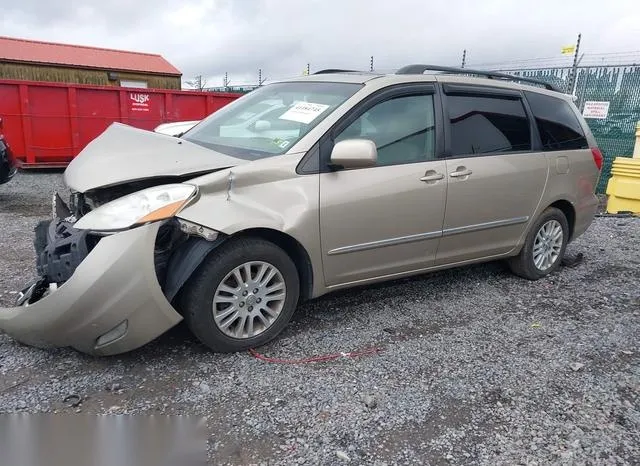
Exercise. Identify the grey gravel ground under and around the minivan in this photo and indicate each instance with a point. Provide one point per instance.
(477, 366)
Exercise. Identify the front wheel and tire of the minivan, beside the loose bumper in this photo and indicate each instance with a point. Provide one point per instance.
(242, 296)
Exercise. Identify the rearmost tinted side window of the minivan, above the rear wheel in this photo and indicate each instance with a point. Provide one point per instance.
(557, 123)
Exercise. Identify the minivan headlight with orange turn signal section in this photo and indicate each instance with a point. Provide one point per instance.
(148, 205)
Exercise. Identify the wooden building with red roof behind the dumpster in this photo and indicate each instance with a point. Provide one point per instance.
(77, 64)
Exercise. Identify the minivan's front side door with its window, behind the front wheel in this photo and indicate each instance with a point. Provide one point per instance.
(386, 220)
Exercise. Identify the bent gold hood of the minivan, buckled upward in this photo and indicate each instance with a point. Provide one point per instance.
(123, 154)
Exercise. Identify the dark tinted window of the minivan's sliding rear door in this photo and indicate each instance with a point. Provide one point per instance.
(485, 125)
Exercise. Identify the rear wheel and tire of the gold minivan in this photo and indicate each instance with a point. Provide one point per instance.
(544, 246)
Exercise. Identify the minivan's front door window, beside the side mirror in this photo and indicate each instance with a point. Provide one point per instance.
(403, 129)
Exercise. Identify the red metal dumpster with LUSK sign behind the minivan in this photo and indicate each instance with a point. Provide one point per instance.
(50, 123)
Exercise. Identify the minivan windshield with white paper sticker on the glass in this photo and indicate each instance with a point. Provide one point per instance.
(269, 120)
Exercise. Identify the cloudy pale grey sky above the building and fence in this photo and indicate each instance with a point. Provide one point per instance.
(238, 37)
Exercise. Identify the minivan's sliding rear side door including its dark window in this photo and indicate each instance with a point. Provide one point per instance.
(496, 175)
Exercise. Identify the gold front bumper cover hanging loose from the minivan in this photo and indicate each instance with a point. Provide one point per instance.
(112, 303)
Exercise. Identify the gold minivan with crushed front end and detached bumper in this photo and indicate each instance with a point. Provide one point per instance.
(300, 188)
